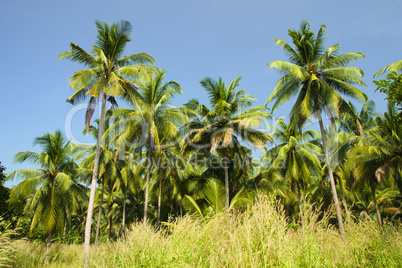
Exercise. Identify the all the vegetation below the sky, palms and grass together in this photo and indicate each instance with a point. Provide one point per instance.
(217, 183)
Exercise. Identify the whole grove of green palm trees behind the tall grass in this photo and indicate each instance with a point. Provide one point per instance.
(153, 161)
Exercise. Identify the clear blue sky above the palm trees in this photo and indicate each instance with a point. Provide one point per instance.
(191, 39)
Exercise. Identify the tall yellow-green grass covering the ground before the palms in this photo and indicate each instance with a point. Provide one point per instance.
(260, 237)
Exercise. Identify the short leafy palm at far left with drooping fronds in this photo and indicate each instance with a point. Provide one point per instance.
(52, 188)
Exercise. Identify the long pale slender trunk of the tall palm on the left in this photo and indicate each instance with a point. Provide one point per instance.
(88, 223)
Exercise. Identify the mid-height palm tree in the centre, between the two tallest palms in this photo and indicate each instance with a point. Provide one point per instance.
(225, 124)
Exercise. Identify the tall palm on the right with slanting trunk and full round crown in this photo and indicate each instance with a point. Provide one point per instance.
(316, 77)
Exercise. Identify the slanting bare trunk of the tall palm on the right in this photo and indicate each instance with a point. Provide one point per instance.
(331, 175)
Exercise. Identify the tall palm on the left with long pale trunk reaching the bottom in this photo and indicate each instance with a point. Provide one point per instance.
(106, 76)
